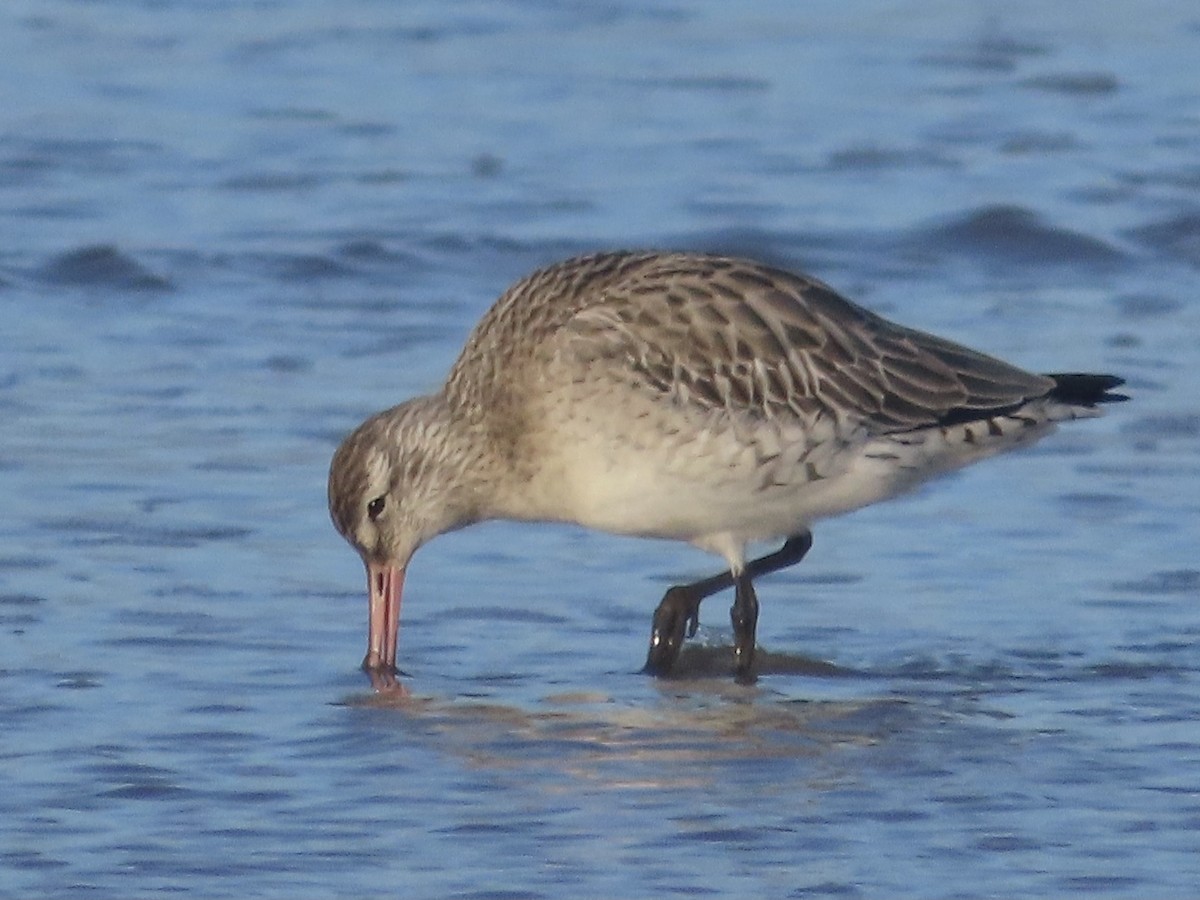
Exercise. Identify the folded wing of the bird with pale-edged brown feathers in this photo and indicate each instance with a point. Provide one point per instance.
(740, 337)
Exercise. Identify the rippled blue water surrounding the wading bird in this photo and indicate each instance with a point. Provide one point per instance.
(233, 230)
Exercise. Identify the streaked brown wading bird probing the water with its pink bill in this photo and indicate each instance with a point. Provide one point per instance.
(676, 395)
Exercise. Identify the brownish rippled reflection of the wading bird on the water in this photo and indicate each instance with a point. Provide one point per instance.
(686, 730)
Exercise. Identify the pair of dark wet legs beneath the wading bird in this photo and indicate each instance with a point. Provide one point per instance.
(679, 614)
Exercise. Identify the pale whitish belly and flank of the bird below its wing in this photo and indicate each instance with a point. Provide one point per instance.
(719, 489)
